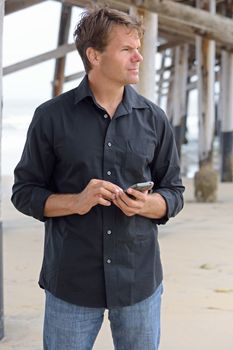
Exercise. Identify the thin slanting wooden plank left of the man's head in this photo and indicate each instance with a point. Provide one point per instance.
(59, 52)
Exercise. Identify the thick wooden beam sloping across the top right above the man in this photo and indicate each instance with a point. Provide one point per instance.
(179, 19)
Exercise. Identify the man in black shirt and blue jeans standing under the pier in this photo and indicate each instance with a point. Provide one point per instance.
(83, 149)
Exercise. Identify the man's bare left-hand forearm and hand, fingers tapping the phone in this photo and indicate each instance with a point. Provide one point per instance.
(96, 192)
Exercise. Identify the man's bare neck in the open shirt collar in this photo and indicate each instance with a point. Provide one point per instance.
(107, 95)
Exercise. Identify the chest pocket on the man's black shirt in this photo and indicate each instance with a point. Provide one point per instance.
(139, 155)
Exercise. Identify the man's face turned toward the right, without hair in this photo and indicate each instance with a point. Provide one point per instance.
(119, 63)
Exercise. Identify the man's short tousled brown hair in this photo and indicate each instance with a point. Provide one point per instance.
(95, 26)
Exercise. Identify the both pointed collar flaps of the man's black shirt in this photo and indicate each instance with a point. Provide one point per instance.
(131, 98)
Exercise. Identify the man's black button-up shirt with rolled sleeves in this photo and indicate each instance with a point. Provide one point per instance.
(102, 258)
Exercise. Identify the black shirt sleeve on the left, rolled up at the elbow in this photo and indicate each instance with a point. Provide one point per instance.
(32, 175)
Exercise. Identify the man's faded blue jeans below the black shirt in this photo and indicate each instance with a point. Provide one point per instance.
(72, 327)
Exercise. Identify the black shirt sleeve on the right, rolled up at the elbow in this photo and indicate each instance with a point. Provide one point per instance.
(165, 170)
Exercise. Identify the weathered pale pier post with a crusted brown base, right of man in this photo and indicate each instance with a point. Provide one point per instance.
(205, 180)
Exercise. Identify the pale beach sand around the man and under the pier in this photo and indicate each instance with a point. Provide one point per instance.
(196, 249)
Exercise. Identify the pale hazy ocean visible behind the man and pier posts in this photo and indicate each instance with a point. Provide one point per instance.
(17, 115)
